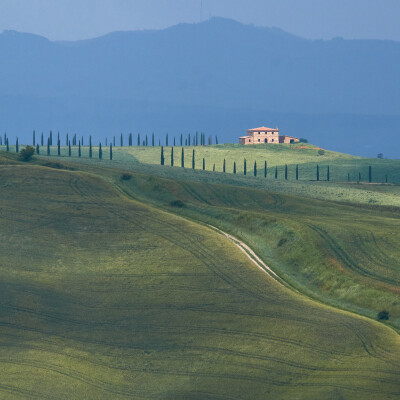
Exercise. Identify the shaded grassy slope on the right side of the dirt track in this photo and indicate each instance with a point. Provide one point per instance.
(348, 256)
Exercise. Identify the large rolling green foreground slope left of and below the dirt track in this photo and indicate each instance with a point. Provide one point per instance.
(106, 297)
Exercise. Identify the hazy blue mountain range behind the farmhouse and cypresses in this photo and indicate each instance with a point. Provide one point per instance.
(220, 77)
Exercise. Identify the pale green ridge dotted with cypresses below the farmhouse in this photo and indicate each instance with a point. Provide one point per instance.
(147, 159)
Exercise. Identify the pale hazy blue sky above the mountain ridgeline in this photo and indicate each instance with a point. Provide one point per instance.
(79, 19)
